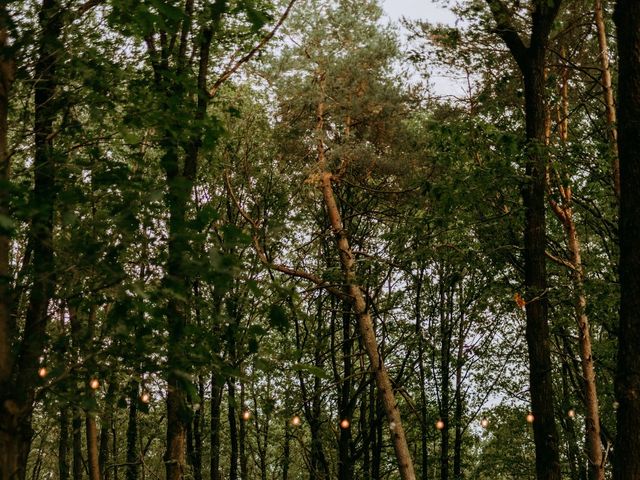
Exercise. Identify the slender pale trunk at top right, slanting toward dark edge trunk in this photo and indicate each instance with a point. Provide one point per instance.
(607, 92)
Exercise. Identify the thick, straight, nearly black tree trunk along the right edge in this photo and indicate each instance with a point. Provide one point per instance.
(627, 460)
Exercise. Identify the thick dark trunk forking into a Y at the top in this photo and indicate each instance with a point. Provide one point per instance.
(531, 61)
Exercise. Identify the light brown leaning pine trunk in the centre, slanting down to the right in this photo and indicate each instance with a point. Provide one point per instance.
(359, 305)
